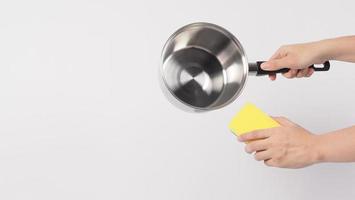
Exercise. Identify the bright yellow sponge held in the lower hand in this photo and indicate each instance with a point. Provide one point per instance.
(250, 118)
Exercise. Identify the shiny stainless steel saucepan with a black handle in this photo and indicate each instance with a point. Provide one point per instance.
(204, 67)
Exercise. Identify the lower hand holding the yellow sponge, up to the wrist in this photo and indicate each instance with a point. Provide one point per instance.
(288, 146)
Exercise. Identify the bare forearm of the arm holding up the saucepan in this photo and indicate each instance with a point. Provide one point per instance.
(341, 48)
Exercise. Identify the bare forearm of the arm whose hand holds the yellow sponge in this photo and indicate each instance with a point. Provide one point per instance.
(337, 146)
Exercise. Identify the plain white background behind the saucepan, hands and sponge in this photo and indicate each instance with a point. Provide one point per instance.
(82, 115)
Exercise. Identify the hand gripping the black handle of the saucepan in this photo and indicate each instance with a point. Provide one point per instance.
(297, 58)
